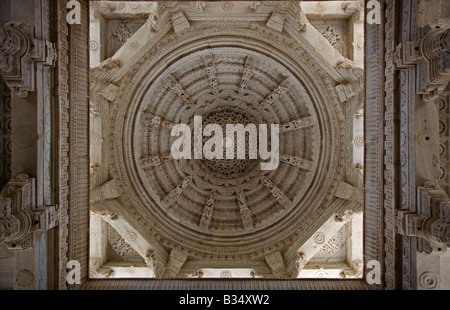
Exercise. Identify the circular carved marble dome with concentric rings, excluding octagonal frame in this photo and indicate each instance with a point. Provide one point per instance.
(227, 208)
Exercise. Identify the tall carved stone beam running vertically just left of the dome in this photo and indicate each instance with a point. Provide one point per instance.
(72, 155)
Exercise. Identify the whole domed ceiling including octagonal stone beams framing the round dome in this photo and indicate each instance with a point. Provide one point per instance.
(228, 72)
